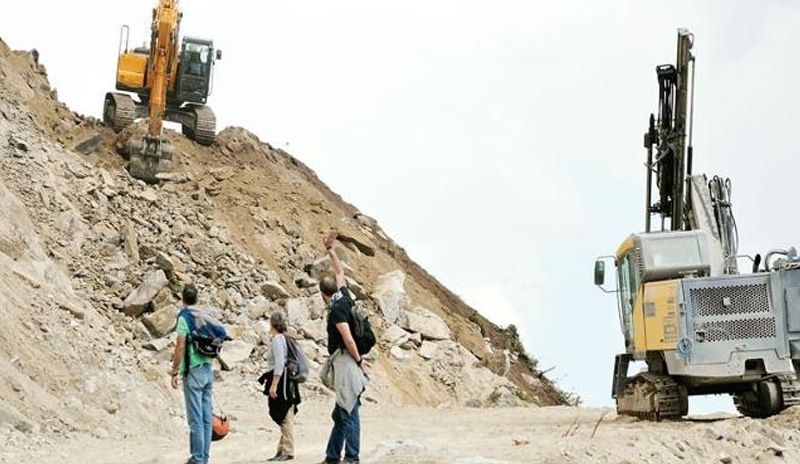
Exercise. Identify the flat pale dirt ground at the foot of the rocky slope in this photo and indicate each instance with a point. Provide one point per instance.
(394, 435)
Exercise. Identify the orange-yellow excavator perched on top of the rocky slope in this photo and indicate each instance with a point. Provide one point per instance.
(172, 80)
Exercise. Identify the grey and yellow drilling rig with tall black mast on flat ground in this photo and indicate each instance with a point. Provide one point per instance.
(699, 325)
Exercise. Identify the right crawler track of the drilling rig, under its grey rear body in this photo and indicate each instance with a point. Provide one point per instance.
(769, 397)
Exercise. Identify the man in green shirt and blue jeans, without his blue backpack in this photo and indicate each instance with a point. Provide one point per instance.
(196, 371)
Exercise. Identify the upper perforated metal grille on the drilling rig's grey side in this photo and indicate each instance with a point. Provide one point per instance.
(729, 300)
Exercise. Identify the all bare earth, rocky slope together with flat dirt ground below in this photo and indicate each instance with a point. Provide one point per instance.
(92, 260)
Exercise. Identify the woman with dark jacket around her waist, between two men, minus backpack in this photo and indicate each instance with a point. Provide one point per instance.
(284, 394)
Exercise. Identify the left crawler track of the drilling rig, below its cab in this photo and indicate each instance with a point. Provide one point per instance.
(654, 397)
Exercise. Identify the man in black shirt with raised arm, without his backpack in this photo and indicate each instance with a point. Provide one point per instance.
(349, 368)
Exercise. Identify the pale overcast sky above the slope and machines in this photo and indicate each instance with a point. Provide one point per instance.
(498, 141)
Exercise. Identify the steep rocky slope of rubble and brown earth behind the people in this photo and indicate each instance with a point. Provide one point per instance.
(92, 260)
